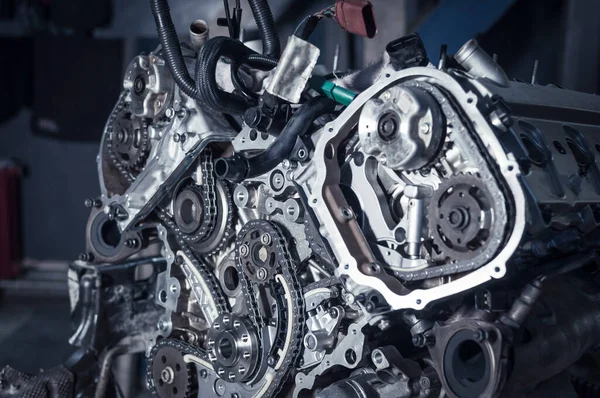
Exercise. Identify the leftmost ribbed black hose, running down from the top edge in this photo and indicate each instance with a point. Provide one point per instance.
(171, 48)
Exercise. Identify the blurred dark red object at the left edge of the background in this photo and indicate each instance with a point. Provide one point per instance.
(10, 253)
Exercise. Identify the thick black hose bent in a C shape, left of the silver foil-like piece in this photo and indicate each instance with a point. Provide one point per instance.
(206, 66)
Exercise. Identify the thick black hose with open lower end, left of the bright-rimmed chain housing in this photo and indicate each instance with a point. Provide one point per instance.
(238, 168)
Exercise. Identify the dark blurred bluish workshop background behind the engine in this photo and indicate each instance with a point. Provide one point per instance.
(61, 72)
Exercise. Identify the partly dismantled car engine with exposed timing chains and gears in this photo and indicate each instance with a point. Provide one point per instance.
(404, 230)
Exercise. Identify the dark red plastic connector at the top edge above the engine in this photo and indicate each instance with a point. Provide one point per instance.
(356, 17)
